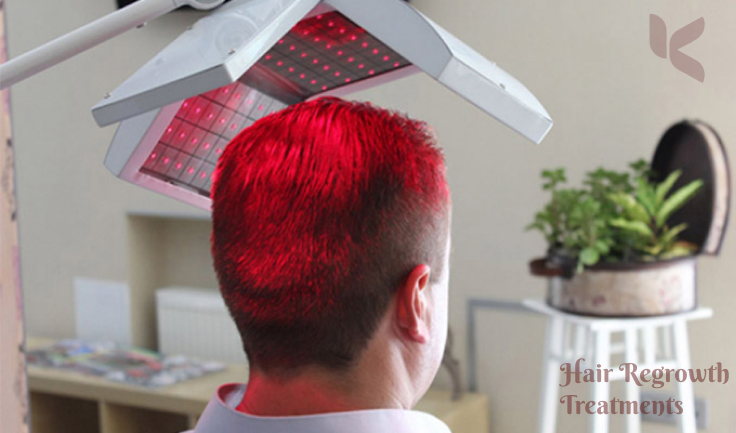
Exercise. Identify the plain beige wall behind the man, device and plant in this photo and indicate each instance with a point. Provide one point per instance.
(588, 62)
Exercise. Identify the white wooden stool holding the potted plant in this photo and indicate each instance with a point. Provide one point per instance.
(570, 337)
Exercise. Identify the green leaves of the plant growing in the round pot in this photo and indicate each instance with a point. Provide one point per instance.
(616, 216)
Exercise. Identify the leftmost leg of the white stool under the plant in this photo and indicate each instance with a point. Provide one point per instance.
(548, 403)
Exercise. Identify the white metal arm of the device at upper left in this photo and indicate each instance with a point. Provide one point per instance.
(91, 35)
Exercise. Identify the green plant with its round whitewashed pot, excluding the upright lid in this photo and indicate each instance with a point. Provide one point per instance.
(611, 247)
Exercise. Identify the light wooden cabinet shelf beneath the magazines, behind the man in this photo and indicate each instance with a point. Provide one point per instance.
(67, 402)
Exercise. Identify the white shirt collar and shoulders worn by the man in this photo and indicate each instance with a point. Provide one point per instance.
(220, 416)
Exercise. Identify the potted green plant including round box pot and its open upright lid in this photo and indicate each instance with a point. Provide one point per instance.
(626, 243)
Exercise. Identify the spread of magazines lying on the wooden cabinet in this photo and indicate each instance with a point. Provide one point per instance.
(125, 364)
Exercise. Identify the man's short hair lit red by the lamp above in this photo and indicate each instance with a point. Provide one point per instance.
(319, 213)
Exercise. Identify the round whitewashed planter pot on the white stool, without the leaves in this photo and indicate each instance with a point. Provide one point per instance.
(629, 289)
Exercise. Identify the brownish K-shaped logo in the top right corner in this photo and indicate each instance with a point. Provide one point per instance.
(682, 37)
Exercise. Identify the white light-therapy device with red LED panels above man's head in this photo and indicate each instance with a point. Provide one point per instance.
(246, 46)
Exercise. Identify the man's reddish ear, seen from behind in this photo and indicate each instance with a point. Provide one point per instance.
(411, 305)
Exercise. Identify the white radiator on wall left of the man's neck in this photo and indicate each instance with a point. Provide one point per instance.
(196, 323)
